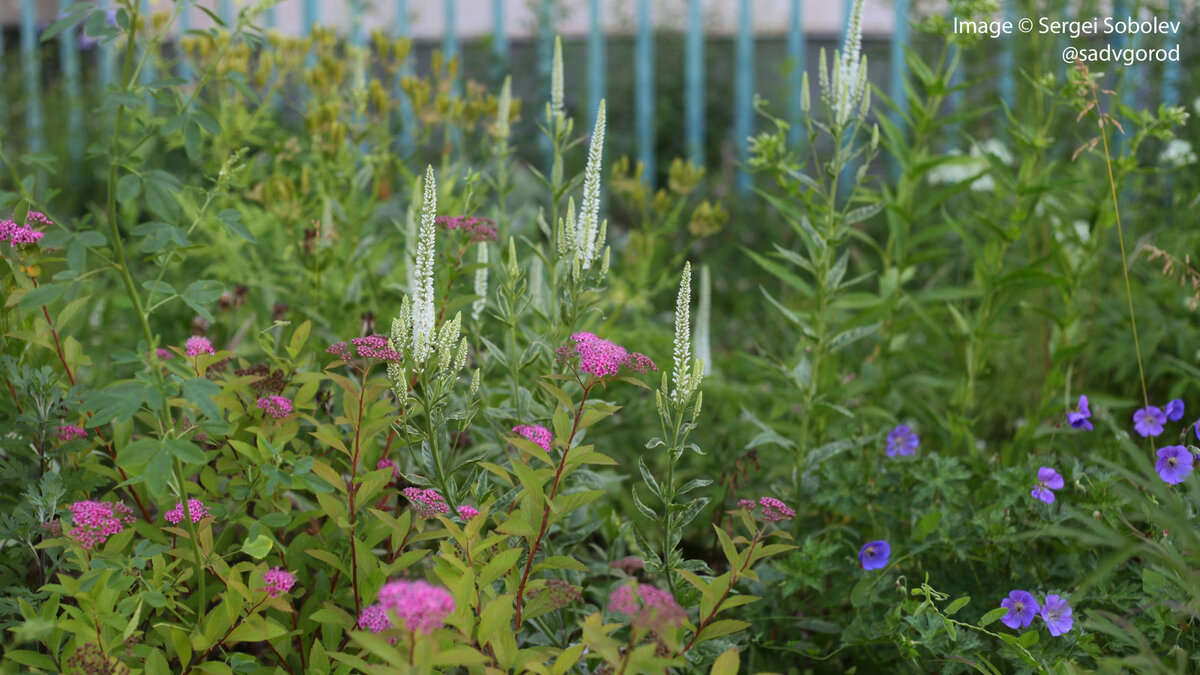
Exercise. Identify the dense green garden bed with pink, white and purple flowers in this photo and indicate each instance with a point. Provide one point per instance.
(308, 389)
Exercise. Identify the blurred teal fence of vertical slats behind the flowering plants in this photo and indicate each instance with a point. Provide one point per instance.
(644, 105)
